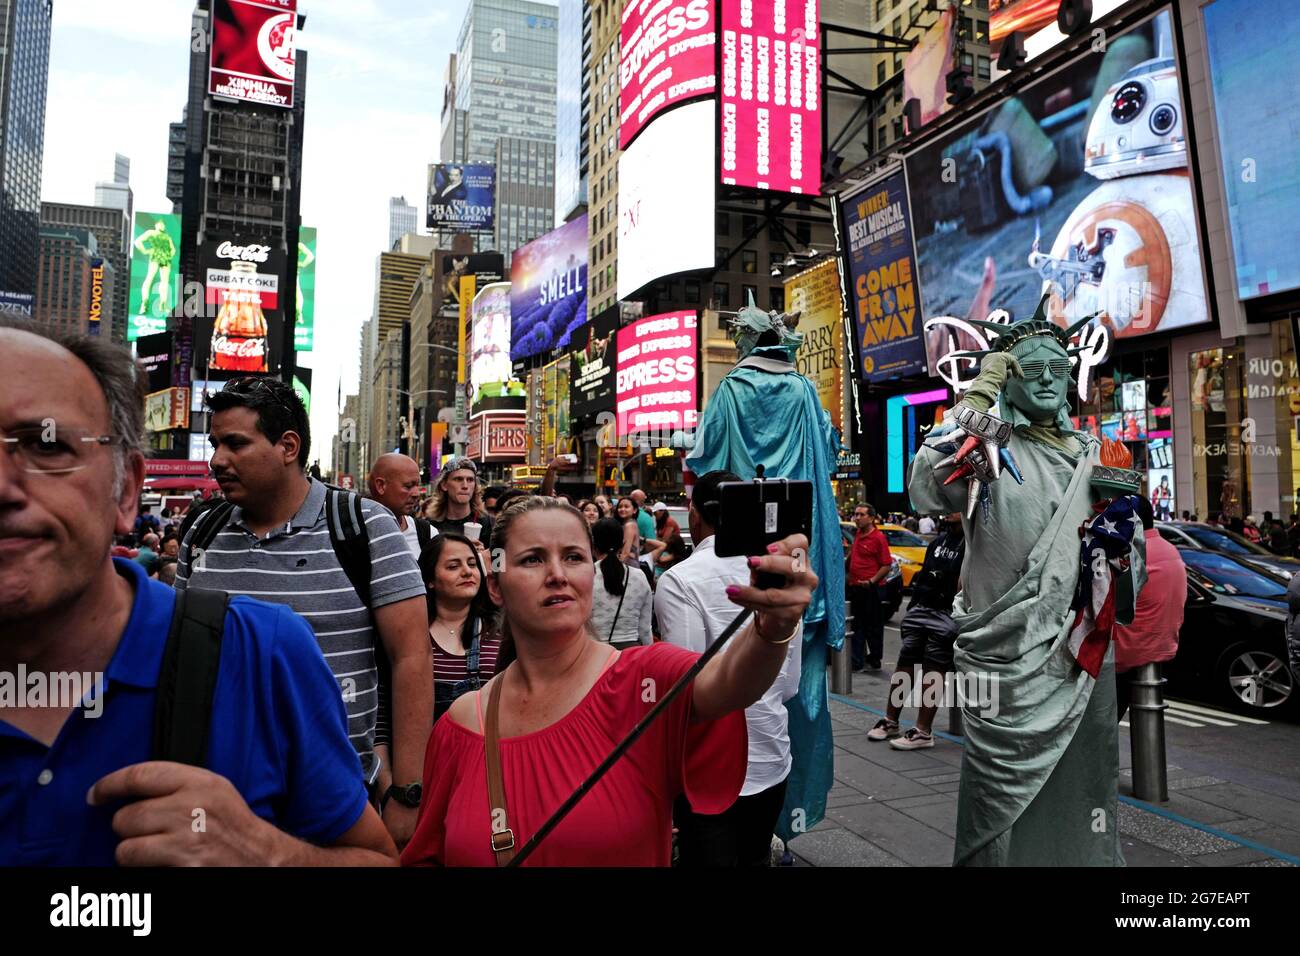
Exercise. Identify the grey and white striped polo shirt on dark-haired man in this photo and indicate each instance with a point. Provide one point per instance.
(297, 566)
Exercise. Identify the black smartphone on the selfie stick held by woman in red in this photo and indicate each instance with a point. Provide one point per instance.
(755, 514)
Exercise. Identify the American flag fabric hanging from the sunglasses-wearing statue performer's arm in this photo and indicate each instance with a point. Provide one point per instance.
(1104, 551)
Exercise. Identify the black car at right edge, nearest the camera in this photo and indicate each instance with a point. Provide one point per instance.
(1233, 644)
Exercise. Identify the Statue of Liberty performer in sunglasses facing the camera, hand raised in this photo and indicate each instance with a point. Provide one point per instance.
(1037, 608)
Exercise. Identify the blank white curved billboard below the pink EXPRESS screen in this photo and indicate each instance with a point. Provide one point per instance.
(668, 191)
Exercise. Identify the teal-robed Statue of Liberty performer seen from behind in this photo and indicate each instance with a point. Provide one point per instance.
(766, 414)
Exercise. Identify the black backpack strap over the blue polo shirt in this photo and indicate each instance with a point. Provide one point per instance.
(189, 678)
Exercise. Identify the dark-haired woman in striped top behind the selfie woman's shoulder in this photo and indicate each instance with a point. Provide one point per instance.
(462, 620)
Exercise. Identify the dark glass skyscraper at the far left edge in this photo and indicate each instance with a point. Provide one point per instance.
(24, 76)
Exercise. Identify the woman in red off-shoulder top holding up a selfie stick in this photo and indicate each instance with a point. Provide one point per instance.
(567, 702)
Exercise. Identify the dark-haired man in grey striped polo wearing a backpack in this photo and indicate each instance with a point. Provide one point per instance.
(276, 547)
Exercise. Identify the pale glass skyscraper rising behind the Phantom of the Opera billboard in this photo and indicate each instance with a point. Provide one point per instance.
(502, 84)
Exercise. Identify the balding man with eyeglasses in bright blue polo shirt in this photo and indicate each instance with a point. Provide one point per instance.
(279, 784)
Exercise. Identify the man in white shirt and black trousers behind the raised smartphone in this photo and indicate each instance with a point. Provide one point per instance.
(694, 611)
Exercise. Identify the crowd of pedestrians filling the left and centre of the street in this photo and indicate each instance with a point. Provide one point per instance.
(393, 677)
